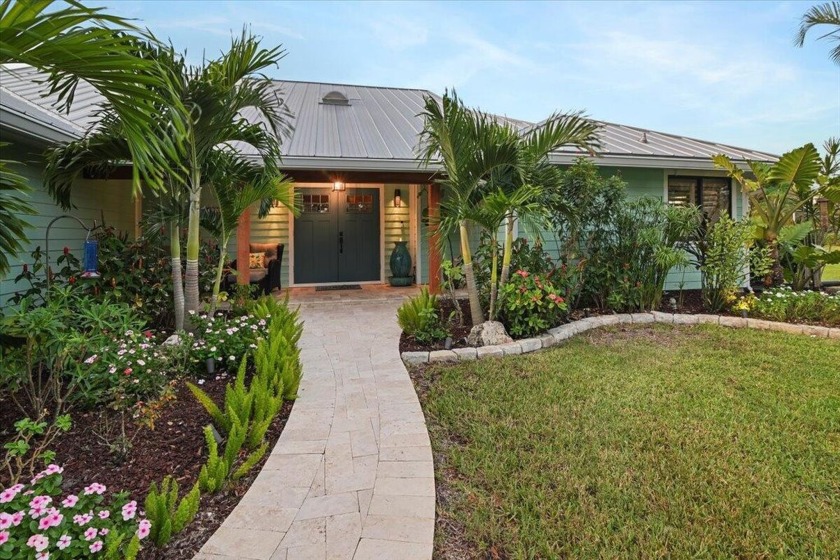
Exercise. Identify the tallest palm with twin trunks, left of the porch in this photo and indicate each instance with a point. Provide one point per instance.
(215, 96)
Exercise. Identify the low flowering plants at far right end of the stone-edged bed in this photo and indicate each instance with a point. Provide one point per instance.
(784, 304)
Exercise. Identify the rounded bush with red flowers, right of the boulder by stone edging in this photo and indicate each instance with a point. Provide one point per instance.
(530, 305)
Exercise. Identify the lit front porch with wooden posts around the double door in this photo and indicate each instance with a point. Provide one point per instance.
(348, 229)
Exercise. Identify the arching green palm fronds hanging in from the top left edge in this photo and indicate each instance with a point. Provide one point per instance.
(72, 44)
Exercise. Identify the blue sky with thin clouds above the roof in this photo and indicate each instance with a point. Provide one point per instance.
(722, 71)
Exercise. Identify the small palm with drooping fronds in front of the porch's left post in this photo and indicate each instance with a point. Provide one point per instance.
(238, 184)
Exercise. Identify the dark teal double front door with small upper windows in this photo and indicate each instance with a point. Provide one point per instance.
(337, 236)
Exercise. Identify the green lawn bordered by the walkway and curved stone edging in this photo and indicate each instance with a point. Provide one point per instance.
(647, 442)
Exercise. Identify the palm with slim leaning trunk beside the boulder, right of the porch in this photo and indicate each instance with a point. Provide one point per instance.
(464, 141)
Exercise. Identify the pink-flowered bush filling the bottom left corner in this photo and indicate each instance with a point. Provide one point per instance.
(35, 522)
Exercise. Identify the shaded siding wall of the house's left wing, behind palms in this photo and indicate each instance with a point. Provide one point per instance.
(93, 200)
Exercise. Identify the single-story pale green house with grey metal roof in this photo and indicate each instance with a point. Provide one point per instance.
(353, 155)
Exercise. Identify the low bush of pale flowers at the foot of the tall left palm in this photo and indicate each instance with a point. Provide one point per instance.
(225, 338)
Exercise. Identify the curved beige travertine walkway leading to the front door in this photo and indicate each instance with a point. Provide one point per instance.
(352, 475)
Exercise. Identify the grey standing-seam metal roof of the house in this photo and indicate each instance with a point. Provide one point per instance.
(377, 129)
